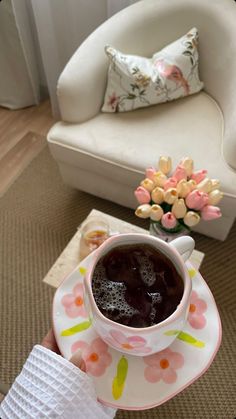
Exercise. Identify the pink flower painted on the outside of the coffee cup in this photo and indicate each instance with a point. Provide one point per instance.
(134, 344)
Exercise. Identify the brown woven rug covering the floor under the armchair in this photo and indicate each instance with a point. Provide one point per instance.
(38, 216)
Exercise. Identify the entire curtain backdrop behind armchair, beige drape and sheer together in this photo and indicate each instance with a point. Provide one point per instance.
(38, 37)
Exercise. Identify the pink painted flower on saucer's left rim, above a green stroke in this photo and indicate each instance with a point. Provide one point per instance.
(74, 302)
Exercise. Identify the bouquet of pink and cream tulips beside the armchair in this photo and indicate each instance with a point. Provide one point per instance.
(180, 198)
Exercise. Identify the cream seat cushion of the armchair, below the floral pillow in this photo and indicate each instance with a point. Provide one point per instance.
(120, 146)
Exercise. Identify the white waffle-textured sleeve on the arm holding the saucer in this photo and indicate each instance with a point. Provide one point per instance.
(49, 386)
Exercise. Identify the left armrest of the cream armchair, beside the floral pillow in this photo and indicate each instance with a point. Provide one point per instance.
(81, 85)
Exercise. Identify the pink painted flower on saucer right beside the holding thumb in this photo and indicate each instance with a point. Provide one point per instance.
(95, 355)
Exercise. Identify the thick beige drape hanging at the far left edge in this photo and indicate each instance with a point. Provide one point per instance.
(19, 77)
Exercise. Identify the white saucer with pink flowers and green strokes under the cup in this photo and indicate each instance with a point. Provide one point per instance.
(131, 382)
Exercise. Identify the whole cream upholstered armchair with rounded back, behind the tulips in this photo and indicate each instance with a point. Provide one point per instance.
(106, 154)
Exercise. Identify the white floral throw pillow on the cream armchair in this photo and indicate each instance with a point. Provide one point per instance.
(136, 82)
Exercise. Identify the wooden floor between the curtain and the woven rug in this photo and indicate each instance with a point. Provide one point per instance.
(22, 135)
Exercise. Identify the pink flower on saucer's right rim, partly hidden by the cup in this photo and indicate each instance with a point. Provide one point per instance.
(197, 307)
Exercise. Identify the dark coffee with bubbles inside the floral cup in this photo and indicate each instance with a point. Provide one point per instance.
(136, 285)
